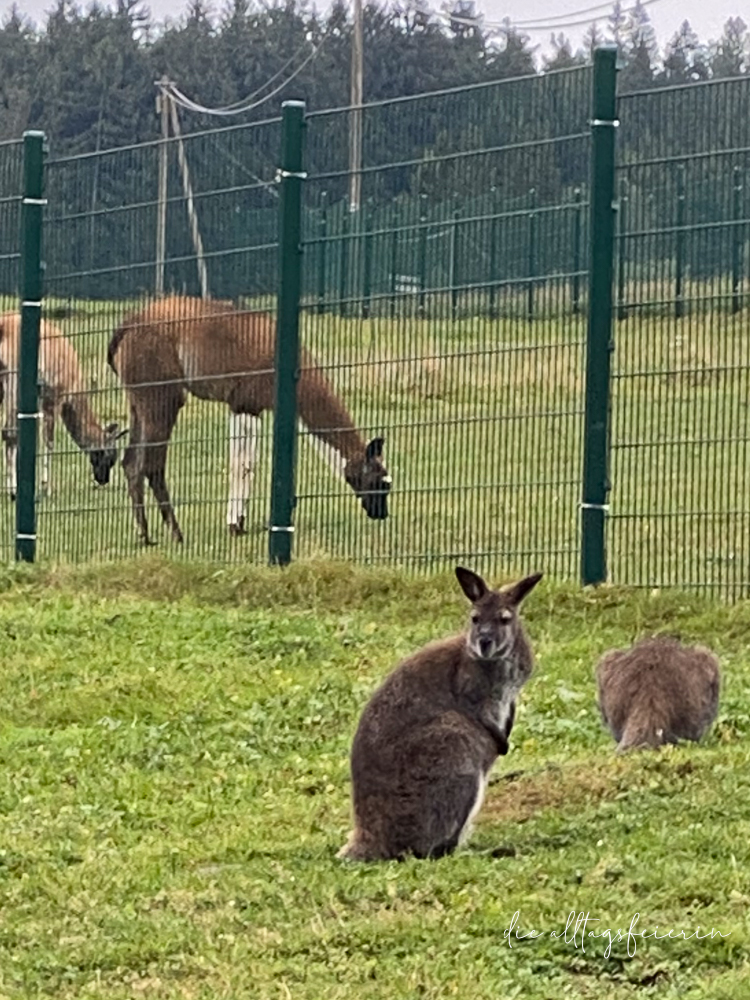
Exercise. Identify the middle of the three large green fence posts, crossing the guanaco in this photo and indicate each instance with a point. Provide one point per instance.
(287, 334)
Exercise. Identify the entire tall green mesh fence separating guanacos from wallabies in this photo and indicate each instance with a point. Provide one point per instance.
(449, 316)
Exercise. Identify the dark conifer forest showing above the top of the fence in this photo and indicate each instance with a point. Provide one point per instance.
(86, 77)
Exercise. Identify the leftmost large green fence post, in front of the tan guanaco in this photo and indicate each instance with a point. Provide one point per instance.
(28, 359)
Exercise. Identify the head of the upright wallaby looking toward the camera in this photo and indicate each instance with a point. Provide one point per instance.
(494, 614)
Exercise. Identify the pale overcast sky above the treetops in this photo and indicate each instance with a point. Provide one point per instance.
(707, 18)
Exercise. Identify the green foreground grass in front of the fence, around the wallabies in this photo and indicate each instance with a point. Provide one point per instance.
(174, 787)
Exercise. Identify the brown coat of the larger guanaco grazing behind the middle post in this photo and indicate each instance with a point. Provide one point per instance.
(178, 345)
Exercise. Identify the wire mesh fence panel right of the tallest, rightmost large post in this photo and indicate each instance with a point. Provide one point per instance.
(681, 487)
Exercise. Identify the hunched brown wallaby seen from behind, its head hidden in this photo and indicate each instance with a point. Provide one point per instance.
(658, 691)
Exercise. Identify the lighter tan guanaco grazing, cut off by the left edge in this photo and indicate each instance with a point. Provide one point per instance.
(63, 393)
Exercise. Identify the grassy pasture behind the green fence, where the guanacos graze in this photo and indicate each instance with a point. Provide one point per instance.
(483, 424)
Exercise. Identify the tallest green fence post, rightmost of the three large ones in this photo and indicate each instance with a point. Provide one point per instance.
(599, 331)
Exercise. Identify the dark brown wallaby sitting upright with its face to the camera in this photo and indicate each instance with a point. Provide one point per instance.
(430, 734)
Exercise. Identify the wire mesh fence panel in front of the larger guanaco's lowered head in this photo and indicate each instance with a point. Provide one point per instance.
(446, 314)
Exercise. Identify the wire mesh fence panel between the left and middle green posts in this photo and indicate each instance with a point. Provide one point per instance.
(105, 263)
